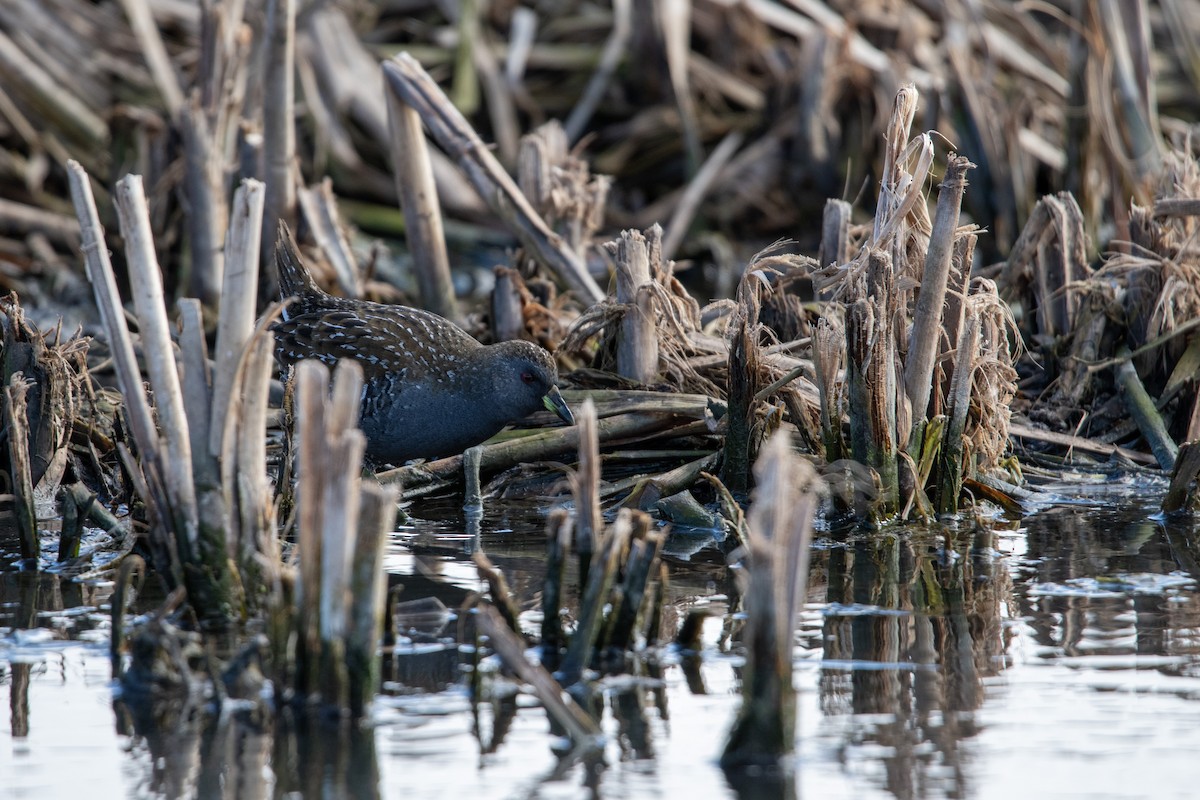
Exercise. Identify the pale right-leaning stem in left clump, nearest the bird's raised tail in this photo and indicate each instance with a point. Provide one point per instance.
(239, 292)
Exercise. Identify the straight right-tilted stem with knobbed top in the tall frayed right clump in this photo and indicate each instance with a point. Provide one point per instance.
(928, 323)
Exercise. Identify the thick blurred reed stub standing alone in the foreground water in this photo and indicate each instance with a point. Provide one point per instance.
(781, 531)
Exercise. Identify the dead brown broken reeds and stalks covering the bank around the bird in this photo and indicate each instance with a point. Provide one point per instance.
(808, 288)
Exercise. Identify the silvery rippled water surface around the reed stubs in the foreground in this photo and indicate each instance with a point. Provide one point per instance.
(1058, 657)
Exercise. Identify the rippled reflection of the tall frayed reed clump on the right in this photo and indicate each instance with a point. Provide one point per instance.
(914, 627)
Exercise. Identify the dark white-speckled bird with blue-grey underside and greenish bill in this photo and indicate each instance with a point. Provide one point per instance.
(430, 389)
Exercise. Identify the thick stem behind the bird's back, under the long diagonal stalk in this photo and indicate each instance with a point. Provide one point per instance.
(418, 195)
